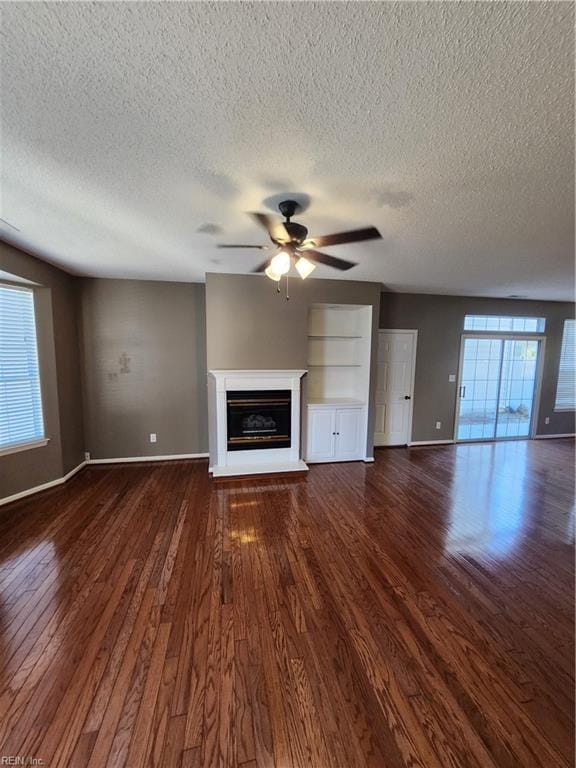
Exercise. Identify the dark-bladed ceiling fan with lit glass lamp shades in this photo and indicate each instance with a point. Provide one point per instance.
(294, 246)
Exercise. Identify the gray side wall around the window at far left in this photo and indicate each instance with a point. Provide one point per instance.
(59, 359)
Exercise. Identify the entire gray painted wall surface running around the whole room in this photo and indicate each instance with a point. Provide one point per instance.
(145, 345)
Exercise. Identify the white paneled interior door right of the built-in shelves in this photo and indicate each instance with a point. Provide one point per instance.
(395, 387)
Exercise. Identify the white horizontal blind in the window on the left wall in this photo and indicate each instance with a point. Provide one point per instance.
(21, 419)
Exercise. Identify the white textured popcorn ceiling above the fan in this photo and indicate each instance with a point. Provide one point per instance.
(135, 135)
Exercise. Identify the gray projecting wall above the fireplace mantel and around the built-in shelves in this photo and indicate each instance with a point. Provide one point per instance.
(250, 325)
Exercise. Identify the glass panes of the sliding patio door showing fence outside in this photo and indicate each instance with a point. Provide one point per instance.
(497, 387)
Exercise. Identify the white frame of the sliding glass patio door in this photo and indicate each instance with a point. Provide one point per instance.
(537, 389)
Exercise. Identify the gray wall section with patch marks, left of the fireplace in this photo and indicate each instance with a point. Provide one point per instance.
(144, 367)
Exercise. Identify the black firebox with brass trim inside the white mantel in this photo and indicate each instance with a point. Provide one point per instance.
(258, 419)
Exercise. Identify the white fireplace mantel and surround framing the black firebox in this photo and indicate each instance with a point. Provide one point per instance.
(251, 462)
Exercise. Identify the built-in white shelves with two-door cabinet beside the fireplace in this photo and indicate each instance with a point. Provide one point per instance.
(339, 338)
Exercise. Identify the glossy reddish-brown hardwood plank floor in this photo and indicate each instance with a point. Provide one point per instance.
(414, 612)
